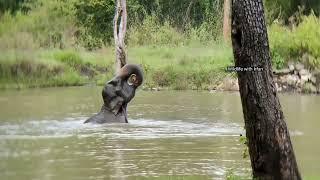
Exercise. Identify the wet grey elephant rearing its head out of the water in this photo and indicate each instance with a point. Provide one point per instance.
(117, 93)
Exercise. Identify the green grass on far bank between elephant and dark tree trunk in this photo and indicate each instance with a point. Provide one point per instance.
(183, 68)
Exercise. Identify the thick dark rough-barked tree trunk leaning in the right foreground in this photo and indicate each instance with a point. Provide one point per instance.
(270, 149)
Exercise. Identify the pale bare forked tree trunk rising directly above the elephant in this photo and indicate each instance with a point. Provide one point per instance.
(120, 33)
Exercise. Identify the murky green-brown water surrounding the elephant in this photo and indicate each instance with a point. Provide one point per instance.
(181, 134)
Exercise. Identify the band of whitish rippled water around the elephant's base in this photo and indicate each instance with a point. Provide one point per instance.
(136, 129)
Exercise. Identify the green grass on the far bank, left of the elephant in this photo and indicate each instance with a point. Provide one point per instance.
(23, 69)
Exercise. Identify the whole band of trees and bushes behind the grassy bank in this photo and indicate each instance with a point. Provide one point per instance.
(31, 24)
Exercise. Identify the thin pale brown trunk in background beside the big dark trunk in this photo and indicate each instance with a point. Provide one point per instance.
(226, 20)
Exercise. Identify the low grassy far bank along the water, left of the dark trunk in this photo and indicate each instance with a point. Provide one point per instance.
(173, 67)
